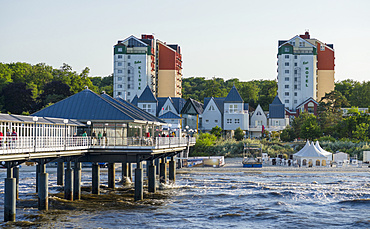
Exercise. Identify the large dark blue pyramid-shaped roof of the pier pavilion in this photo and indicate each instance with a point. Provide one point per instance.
(87, 105)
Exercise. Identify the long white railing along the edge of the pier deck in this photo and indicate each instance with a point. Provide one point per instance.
(14, 145)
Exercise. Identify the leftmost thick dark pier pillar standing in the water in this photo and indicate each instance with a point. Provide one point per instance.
(10, 199)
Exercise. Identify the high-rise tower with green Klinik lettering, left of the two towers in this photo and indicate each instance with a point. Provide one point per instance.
(146, 62)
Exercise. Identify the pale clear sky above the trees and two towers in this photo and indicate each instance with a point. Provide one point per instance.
(227, 39)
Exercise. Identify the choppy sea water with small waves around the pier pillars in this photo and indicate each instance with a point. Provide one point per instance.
(217, 200)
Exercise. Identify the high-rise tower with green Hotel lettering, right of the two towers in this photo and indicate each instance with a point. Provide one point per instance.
(305, 69)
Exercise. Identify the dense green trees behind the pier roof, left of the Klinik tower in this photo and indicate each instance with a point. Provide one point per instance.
(26, 88)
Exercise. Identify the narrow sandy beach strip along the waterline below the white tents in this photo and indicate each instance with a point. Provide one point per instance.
(234, 165)
